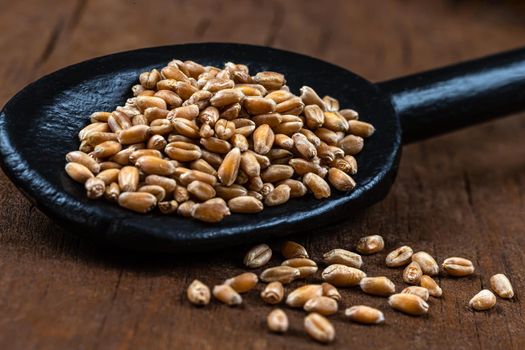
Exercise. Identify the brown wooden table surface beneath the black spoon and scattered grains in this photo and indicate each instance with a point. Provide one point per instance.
(461, 194)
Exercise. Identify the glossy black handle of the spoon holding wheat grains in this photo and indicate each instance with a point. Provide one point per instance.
(444, 99)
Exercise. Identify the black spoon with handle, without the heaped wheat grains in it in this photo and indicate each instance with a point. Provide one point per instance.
(40, 124)
